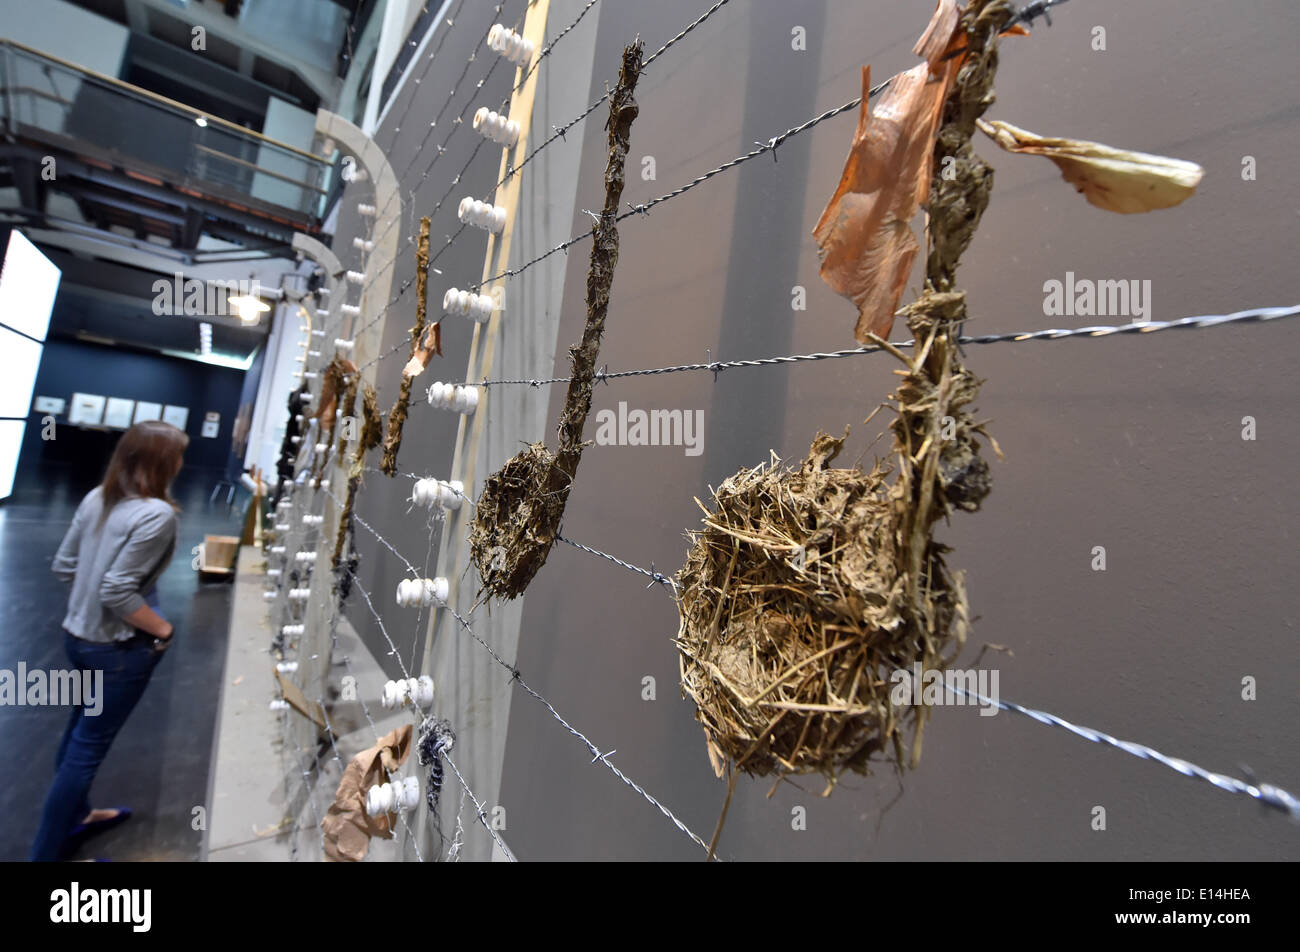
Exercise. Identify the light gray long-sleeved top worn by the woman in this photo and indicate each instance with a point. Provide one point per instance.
(114, 565)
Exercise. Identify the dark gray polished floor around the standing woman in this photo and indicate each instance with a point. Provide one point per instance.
(159, 763)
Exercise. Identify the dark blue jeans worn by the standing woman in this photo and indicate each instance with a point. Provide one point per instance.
(127, 667)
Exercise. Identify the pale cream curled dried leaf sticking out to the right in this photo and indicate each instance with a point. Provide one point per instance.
(1111, 179)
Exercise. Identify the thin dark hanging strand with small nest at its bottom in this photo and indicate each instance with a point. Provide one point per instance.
(519, 512)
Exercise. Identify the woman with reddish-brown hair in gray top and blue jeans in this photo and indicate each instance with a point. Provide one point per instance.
(122, 540)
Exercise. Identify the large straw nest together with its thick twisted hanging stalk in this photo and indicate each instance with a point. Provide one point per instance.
(808, 588)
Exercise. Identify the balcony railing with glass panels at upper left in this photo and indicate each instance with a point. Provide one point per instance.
(57, 105)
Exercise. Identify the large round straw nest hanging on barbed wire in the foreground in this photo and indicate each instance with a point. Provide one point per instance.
(795, 613)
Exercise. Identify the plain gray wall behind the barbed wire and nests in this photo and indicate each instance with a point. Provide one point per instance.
(1133, 444)
